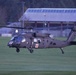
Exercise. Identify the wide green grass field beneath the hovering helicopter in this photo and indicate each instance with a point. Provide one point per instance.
(41, 62)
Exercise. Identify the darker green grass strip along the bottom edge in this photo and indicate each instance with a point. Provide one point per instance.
(39, 73)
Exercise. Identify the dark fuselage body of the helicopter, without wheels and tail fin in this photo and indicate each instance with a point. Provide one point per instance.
(36, 42)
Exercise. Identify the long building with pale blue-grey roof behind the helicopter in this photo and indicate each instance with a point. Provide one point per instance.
(51, 18)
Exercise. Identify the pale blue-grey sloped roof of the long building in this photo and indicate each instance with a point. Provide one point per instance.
(49, 14)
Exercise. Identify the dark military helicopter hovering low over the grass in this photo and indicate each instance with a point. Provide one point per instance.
(37, 40)
